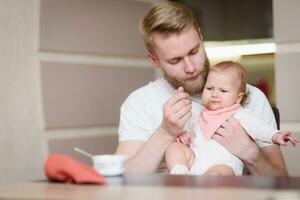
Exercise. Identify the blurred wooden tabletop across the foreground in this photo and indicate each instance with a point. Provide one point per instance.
(159, 186)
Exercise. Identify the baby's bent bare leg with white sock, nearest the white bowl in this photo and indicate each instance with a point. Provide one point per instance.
(179, 158)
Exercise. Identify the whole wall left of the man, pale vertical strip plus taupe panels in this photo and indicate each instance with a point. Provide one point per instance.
(64, 73)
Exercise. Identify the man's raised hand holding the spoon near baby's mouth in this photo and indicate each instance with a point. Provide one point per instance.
(176, 112)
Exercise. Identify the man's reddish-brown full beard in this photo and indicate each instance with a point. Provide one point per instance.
(194, 87)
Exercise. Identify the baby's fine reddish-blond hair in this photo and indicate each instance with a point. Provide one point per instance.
(221, 66)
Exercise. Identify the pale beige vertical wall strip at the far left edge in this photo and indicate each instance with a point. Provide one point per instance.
(22, 142)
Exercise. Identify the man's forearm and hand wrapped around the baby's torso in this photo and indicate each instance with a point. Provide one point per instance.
(265, 161)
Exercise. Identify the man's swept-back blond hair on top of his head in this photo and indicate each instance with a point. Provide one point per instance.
(166, 17)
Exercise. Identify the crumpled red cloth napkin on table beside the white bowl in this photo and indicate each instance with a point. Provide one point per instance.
(63, 168)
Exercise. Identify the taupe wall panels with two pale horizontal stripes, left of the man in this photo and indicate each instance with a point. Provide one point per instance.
(91, 58)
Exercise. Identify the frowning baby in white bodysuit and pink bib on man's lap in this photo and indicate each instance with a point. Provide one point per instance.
(223, 95)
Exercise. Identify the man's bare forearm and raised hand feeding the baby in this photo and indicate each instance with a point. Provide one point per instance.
(145, 156)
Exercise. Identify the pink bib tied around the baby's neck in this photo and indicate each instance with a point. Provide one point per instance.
(210, 121)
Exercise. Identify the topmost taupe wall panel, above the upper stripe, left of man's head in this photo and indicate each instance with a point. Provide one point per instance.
(93, 26)
